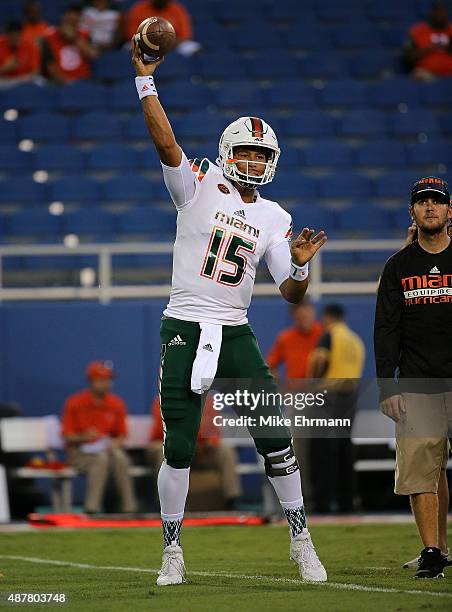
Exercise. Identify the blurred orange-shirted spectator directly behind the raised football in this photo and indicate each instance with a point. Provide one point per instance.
(172, 11)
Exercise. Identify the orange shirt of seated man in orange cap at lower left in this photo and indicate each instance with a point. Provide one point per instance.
(83, 412)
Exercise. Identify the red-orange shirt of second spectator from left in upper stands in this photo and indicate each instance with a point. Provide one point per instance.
(68, 58)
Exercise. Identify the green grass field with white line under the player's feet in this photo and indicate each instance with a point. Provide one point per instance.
(229, 568)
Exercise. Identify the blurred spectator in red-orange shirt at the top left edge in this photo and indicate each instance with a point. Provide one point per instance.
(20, 59)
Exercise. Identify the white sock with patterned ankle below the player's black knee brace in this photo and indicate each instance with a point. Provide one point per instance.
(288, 490)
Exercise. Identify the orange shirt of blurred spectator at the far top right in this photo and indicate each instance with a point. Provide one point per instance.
(439, 61)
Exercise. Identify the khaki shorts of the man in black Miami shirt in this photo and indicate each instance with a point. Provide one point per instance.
(422, 445)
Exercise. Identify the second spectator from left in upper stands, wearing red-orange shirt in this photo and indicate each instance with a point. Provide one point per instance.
(67, 50)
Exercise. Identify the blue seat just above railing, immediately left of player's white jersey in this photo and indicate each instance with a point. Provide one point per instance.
(147, 220)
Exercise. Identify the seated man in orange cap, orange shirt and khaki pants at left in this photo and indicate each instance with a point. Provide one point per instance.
(94, 429)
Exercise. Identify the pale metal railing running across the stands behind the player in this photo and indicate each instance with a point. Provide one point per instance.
(105, 291)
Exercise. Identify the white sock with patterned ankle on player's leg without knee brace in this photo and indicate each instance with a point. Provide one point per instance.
(172, 485)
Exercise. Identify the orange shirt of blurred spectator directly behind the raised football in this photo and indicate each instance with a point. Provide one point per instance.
(175, 13)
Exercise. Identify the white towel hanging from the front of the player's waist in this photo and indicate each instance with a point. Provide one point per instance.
(206, 360)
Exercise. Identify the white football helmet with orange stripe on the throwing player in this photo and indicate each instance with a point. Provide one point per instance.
(248, 131)
